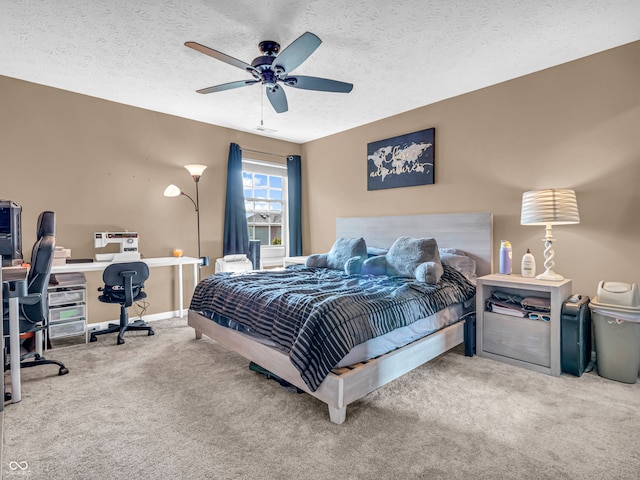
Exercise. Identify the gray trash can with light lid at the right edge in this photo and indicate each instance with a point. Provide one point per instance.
(615, 314)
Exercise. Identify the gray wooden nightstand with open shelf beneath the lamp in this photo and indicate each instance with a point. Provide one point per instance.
(532, 344)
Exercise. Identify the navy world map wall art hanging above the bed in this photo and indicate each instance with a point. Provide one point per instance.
(403, 161)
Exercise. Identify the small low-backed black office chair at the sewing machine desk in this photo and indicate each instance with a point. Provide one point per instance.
(123, 284)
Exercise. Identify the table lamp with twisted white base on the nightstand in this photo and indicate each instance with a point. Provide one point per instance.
(549, 207)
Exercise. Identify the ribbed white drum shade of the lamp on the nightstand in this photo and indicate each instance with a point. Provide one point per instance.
(549, 207)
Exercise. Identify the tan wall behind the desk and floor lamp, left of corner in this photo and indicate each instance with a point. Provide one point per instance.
(103, 166)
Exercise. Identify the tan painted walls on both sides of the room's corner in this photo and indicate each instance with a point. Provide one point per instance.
(103, 166)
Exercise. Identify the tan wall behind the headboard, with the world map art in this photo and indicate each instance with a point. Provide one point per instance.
(573, 126)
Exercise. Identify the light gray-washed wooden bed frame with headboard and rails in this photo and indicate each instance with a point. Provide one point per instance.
(471, 232)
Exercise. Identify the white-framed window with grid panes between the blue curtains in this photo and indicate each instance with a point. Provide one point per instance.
(265, 201)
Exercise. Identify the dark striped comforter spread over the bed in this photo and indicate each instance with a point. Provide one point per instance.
(317, 315)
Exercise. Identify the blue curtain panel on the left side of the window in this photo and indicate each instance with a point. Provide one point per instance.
(236, 231)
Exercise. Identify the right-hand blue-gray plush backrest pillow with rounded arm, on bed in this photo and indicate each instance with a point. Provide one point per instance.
(408, 253)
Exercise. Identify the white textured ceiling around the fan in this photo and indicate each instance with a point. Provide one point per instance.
(399, 54)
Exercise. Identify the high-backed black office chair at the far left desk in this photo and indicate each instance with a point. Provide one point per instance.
(34, 307)
